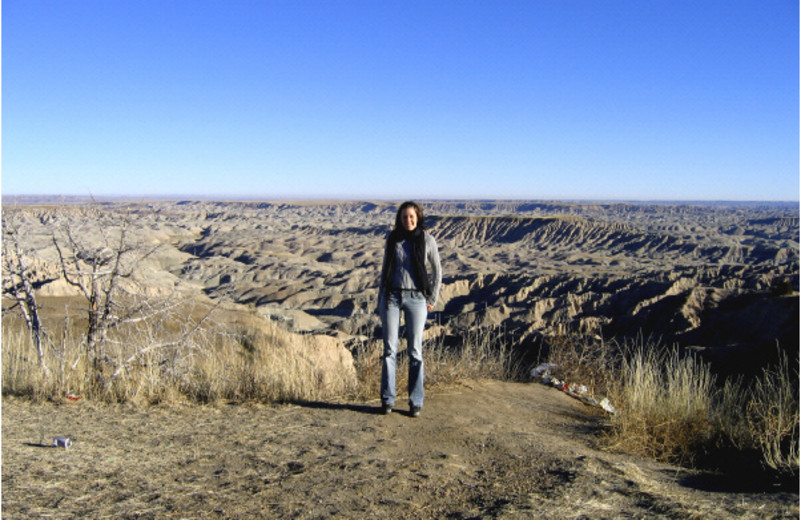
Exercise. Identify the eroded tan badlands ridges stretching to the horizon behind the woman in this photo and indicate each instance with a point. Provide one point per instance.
(718, 276)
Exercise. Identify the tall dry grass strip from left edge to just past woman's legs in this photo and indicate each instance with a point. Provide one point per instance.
(233, 356)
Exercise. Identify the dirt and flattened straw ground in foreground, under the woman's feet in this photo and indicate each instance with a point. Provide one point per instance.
(484, 450)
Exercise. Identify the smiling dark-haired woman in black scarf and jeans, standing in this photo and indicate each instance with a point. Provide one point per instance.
(410, 281)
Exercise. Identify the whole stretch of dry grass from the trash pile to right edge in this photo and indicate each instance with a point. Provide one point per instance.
(670, 407)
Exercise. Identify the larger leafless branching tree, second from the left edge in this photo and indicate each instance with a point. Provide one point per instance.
(101, 263)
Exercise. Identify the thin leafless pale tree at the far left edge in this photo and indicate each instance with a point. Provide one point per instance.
(18, 286)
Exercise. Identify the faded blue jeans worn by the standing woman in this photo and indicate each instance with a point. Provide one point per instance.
(415, 310)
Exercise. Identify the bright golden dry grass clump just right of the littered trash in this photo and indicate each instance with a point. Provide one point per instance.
(662, 398)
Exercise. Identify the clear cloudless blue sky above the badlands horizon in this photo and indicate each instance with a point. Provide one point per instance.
(530, 99)
